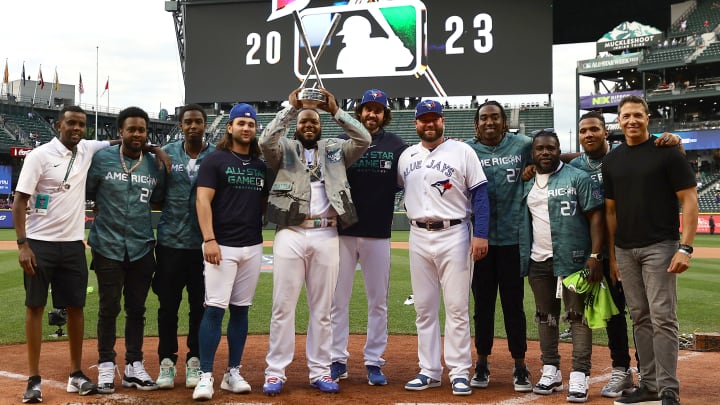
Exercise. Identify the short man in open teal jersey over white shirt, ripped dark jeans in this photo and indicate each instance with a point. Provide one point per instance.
(562, 226)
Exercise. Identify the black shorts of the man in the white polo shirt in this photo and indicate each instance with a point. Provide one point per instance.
(61, 265)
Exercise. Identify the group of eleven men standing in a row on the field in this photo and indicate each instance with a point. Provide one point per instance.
(332, 200)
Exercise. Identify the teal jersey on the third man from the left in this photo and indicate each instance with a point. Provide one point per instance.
(178, 226)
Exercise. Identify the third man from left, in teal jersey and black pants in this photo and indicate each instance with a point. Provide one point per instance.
(179, 249)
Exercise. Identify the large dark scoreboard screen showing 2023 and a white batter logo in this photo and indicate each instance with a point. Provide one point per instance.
(255, 51)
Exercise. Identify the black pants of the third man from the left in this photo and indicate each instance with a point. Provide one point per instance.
(178, 269)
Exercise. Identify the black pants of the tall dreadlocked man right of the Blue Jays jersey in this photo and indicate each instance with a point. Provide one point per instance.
(499, 270)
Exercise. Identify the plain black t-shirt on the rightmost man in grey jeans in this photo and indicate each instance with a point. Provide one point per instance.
(643, 180)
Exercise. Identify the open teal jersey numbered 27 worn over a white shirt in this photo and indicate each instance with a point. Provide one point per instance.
(571, 194)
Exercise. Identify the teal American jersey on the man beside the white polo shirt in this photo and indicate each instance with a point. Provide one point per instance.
(123, 221)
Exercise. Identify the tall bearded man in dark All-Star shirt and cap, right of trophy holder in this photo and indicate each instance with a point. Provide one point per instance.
(373, 184)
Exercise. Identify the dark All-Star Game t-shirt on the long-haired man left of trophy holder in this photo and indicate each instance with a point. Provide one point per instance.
(240, 185)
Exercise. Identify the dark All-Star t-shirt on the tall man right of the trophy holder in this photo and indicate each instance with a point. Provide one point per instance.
(373, 185)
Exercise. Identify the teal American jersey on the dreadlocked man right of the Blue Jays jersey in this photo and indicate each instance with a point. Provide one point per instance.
(503, 165)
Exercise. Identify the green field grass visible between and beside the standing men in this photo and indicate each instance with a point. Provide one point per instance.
(698, 305)
